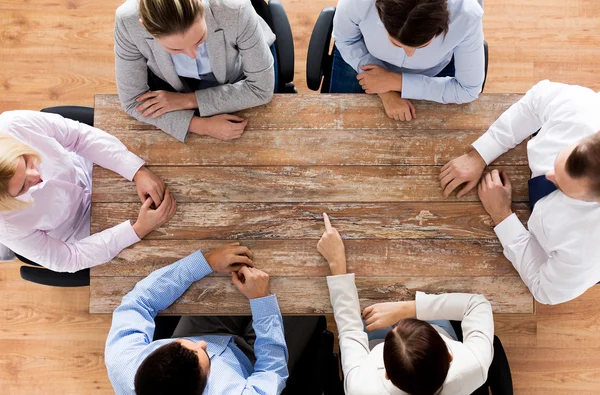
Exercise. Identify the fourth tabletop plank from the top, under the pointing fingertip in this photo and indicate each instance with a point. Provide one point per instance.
(252, 221)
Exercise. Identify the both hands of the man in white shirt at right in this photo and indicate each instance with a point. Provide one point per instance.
(494, 190)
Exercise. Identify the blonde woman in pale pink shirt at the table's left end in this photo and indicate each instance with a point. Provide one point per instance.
(46, 187)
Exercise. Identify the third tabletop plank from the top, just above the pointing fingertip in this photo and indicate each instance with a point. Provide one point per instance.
(297, 184)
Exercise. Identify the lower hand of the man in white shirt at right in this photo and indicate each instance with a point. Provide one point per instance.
(495, 193)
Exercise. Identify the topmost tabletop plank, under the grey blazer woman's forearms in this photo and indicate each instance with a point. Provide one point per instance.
(336, 111)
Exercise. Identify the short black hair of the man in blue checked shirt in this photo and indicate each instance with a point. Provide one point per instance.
(170, 369)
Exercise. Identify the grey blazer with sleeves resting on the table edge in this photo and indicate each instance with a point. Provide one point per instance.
(238, 43)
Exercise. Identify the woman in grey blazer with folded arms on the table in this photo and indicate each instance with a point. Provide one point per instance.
(181, 62)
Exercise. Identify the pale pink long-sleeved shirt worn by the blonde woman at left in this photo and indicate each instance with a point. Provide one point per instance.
(54, 231)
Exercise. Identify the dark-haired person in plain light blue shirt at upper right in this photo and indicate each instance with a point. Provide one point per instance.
(409, 49)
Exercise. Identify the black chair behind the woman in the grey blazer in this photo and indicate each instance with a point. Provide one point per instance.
(274, 14)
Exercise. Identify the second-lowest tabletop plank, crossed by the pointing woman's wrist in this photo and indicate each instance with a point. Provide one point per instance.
(299, 258)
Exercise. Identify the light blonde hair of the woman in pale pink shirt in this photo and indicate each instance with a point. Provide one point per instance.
(10, 152)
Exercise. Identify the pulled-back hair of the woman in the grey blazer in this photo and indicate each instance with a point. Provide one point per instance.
(166, 17)
